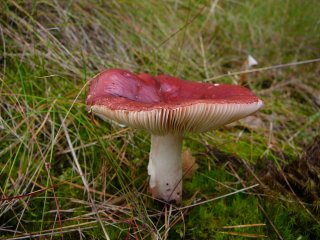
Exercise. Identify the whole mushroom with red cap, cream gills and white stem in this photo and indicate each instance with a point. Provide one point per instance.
(167, 107)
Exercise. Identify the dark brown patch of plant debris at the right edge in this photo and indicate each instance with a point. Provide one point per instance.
(300, 179)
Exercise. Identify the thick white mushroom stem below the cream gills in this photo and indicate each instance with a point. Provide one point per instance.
(165, 167)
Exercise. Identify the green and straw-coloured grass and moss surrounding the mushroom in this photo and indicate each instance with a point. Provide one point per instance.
(50, 51)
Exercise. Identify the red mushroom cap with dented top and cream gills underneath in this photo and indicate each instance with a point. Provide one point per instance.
(165, 104)
